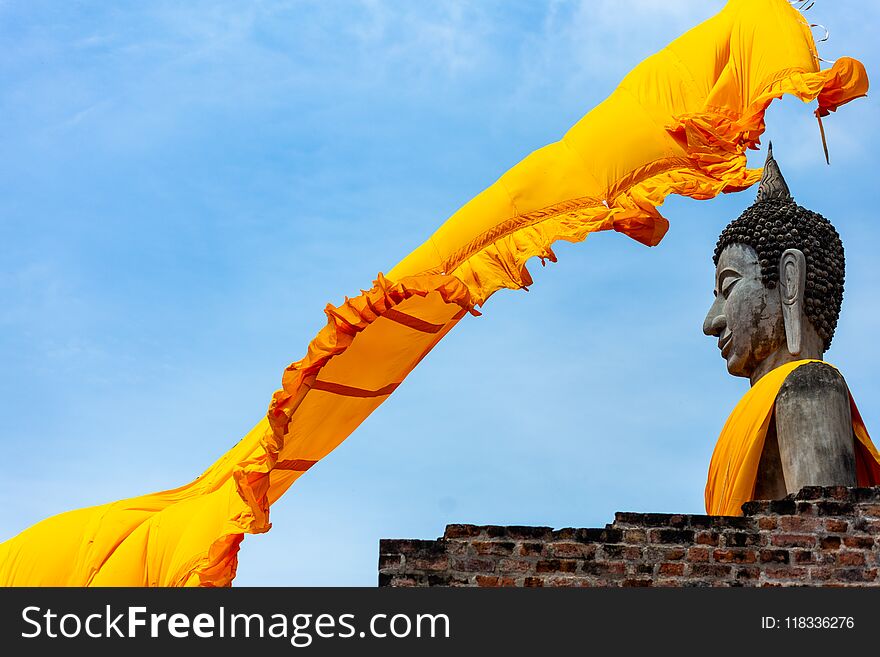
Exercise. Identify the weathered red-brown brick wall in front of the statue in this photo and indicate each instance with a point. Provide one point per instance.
(819, 537)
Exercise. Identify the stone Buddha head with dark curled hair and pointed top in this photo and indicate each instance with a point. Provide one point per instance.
(779, 271)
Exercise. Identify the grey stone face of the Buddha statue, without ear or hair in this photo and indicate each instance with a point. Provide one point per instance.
(746, 317)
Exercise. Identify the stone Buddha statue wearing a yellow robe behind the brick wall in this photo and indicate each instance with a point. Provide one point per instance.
(778, 291)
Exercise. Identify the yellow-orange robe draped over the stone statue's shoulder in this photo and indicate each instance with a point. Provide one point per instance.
(733, 470)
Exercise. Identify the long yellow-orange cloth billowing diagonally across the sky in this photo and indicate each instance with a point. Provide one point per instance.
(679, 123)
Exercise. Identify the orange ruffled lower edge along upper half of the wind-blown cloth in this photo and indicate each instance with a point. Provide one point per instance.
(715, 142)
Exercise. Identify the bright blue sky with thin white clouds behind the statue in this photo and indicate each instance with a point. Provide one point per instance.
(185, 186)
